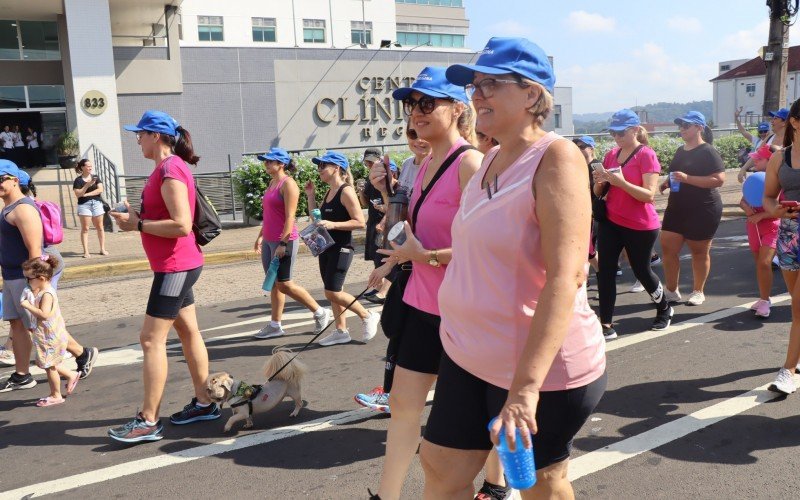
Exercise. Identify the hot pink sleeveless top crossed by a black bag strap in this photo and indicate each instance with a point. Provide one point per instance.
(433, 230)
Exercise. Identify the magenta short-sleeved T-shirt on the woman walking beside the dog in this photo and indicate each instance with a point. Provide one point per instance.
(168, 255)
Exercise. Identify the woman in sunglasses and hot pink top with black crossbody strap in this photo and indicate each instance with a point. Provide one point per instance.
(440, 114)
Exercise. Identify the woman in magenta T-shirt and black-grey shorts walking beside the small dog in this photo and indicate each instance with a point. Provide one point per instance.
(165, 223)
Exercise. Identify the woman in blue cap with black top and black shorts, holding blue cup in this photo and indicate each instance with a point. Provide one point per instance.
(694, 207)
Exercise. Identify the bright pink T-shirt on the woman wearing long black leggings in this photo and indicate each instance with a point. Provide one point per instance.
(623, 209)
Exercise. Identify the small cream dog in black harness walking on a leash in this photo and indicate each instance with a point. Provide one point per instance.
(245, 400)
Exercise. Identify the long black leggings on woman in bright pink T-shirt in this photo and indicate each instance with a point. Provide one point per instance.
(612, 238)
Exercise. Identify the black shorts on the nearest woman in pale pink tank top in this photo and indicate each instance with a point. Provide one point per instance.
(463, 405)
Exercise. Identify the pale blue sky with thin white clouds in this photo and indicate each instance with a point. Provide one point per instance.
(621, 53)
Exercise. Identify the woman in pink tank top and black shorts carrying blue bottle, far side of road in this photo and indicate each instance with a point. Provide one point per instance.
(278, 237)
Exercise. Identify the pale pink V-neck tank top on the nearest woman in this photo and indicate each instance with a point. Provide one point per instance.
(489, 294)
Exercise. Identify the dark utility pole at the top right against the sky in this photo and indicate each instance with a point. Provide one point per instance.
(776, 56)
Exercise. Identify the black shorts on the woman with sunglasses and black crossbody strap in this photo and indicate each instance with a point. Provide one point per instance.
(420, 345)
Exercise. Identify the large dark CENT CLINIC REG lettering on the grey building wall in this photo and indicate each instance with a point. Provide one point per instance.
(376, 111)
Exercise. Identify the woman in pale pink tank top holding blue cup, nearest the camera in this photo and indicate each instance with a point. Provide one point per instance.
(521, 342)
